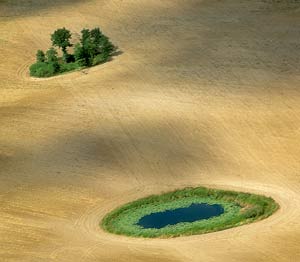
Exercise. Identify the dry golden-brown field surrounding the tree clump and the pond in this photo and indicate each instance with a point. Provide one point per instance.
(204, 93)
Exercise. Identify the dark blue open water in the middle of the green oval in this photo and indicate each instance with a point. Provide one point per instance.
(191, 213)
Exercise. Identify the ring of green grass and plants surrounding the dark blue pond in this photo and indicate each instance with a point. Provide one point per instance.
(239, 209)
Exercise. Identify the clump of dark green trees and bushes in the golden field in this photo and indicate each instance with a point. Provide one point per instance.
(92, 49)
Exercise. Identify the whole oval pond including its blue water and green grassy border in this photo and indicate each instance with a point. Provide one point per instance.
(187, 211)
